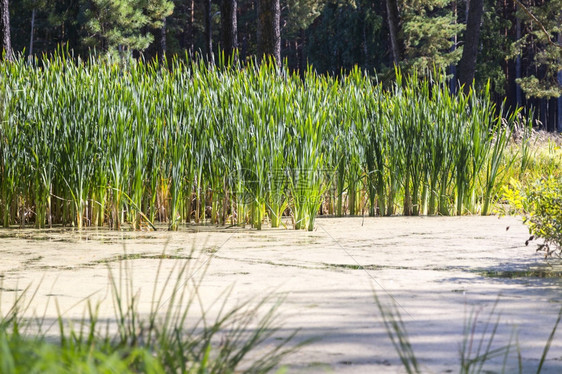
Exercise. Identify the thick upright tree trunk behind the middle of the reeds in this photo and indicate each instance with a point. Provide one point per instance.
(269, 30)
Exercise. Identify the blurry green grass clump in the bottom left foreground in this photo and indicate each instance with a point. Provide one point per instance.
(170, 338)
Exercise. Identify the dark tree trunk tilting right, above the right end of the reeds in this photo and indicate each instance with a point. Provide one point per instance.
(467, 63)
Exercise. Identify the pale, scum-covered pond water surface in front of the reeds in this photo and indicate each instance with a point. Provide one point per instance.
(436, 270)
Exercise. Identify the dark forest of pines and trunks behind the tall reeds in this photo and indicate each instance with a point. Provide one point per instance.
(516, 45)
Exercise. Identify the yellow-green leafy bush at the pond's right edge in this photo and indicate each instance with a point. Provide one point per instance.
(540, 204)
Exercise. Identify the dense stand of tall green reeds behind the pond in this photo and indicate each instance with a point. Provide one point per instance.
(91, 143)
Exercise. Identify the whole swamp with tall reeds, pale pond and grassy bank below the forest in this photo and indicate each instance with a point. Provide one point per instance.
(191, 219)
